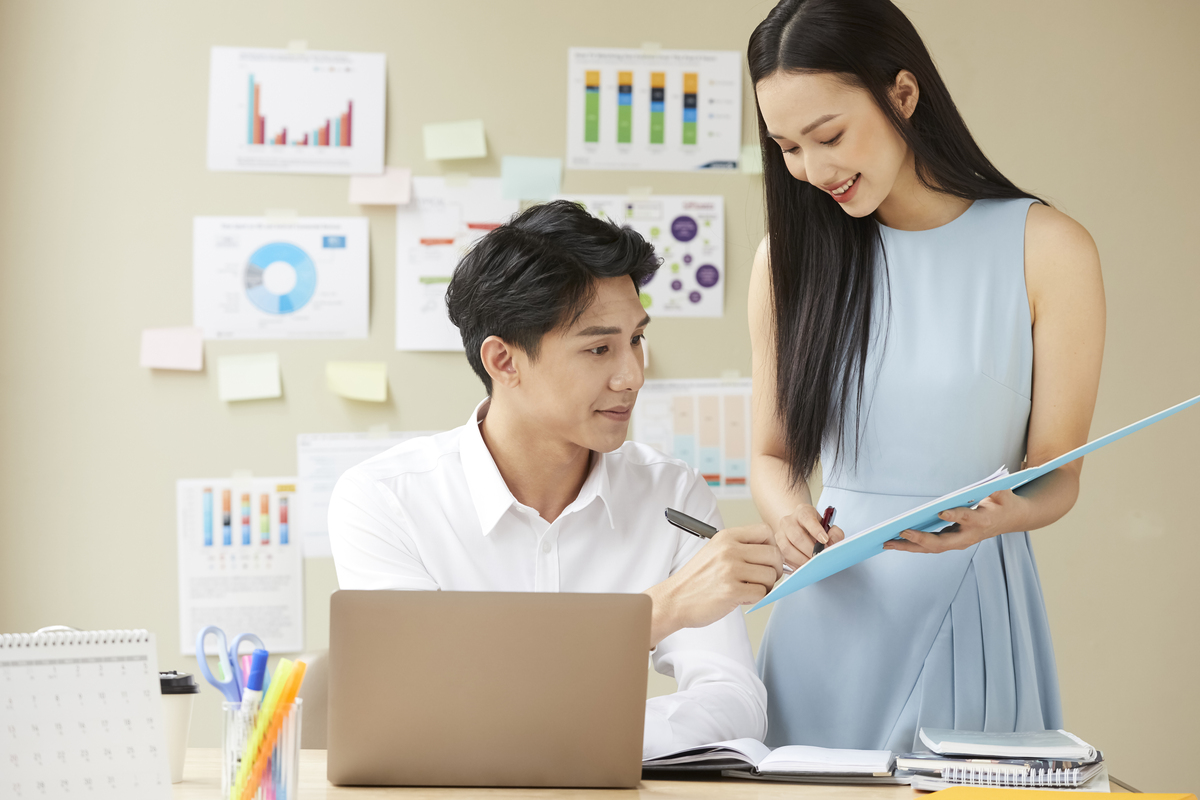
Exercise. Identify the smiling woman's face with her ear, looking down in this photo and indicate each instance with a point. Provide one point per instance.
(836, 137)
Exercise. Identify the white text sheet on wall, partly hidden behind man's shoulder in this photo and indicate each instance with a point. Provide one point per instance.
(321, 461)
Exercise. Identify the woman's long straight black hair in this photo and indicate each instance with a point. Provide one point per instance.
(823, 260)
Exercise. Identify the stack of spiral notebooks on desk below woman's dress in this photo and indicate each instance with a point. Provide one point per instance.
(1040, 760)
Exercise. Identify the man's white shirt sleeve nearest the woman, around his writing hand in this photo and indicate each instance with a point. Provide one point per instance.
(721, 696)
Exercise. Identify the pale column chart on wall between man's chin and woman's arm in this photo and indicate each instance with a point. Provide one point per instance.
(703, 423)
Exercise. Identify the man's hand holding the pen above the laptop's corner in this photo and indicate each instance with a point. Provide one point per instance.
(737, 567)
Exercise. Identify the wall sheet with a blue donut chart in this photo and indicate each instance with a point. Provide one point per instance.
(268, 279)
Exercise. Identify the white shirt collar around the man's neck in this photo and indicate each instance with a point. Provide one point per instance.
(493, 497)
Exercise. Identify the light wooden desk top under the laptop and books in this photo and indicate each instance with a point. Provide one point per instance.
(202, 781)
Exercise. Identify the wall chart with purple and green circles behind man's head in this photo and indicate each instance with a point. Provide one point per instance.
(688, 234)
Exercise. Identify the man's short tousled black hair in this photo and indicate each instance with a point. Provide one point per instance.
(538, 273)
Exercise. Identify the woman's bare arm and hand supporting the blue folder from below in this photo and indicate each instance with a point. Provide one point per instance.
(1063, 276)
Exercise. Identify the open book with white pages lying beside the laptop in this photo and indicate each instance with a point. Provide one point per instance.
(760, 760)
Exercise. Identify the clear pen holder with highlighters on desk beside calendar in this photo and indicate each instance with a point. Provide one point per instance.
(281, 773)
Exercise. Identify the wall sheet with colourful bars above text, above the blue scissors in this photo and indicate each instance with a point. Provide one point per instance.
(239, 561)
